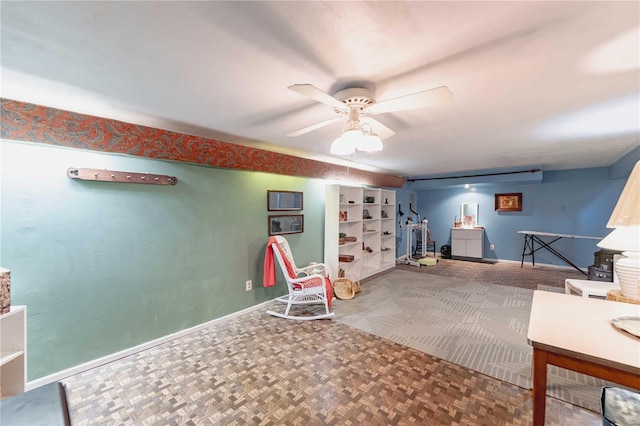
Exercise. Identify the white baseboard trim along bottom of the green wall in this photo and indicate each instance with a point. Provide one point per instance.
(133, 350)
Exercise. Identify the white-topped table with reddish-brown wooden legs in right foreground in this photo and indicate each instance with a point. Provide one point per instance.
(576, 333)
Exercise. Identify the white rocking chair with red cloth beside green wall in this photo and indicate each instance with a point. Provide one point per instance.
(306, 285)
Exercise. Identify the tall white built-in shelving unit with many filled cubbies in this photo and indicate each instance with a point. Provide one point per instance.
(365, 220)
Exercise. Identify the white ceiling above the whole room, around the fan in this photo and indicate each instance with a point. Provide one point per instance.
(547, 84)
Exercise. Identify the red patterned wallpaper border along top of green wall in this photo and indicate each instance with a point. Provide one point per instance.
(34, 123)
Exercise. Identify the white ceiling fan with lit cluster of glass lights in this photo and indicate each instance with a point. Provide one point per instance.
(357, 101)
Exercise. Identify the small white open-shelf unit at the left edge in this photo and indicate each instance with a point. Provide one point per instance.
(13, 351)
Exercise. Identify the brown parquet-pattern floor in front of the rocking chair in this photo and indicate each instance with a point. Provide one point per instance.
(261, 370)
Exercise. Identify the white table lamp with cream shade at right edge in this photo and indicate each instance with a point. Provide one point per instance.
(625, 237)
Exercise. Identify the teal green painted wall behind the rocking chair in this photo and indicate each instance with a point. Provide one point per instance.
(105, 266)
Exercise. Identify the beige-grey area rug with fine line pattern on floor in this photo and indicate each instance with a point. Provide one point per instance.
(480, 326)
